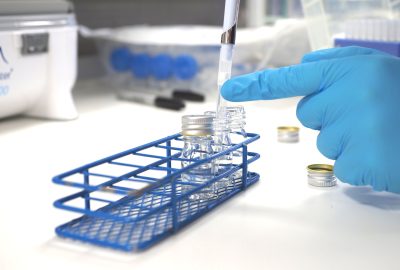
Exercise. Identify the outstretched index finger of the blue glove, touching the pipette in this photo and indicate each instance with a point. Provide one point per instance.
(298, 80)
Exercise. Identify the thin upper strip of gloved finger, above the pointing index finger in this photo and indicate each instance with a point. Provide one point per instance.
(336, 53)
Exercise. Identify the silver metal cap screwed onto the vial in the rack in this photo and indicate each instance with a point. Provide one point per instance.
(197, 125)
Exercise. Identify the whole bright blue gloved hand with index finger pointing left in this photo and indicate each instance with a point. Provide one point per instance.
(352, 95)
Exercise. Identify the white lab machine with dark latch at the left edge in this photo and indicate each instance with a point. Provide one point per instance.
(38, 59)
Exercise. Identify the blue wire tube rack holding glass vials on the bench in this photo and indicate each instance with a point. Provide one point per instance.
(132, 200)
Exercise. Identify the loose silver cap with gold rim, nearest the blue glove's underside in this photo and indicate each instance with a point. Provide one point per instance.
(321, 175)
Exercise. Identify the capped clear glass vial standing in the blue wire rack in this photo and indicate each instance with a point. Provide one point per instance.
(197, 131)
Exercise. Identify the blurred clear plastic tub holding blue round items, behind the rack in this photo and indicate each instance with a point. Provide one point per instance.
(174, 57)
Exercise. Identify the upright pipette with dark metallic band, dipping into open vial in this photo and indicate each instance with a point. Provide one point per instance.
(227, 44)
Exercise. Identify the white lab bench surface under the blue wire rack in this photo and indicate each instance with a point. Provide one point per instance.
(279, 223)
